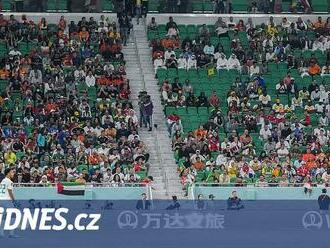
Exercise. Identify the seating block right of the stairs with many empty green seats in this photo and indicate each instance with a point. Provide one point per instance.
(260, 116)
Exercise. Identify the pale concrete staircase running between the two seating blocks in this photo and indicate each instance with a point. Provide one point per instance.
(140, 71)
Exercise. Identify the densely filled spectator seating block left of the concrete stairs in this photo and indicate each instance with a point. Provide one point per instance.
(65, 109)
